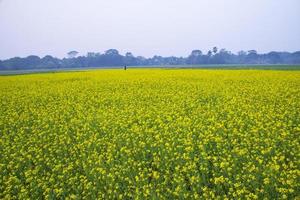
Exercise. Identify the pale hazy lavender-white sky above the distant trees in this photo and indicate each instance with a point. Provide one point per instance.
(147, 27)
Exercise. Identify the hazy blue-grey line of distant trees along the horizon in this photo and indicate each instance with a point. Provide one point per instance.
(112, 57)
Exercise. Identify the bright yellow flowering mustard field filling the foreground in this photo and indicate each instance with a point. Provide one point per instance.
(150, 134)
